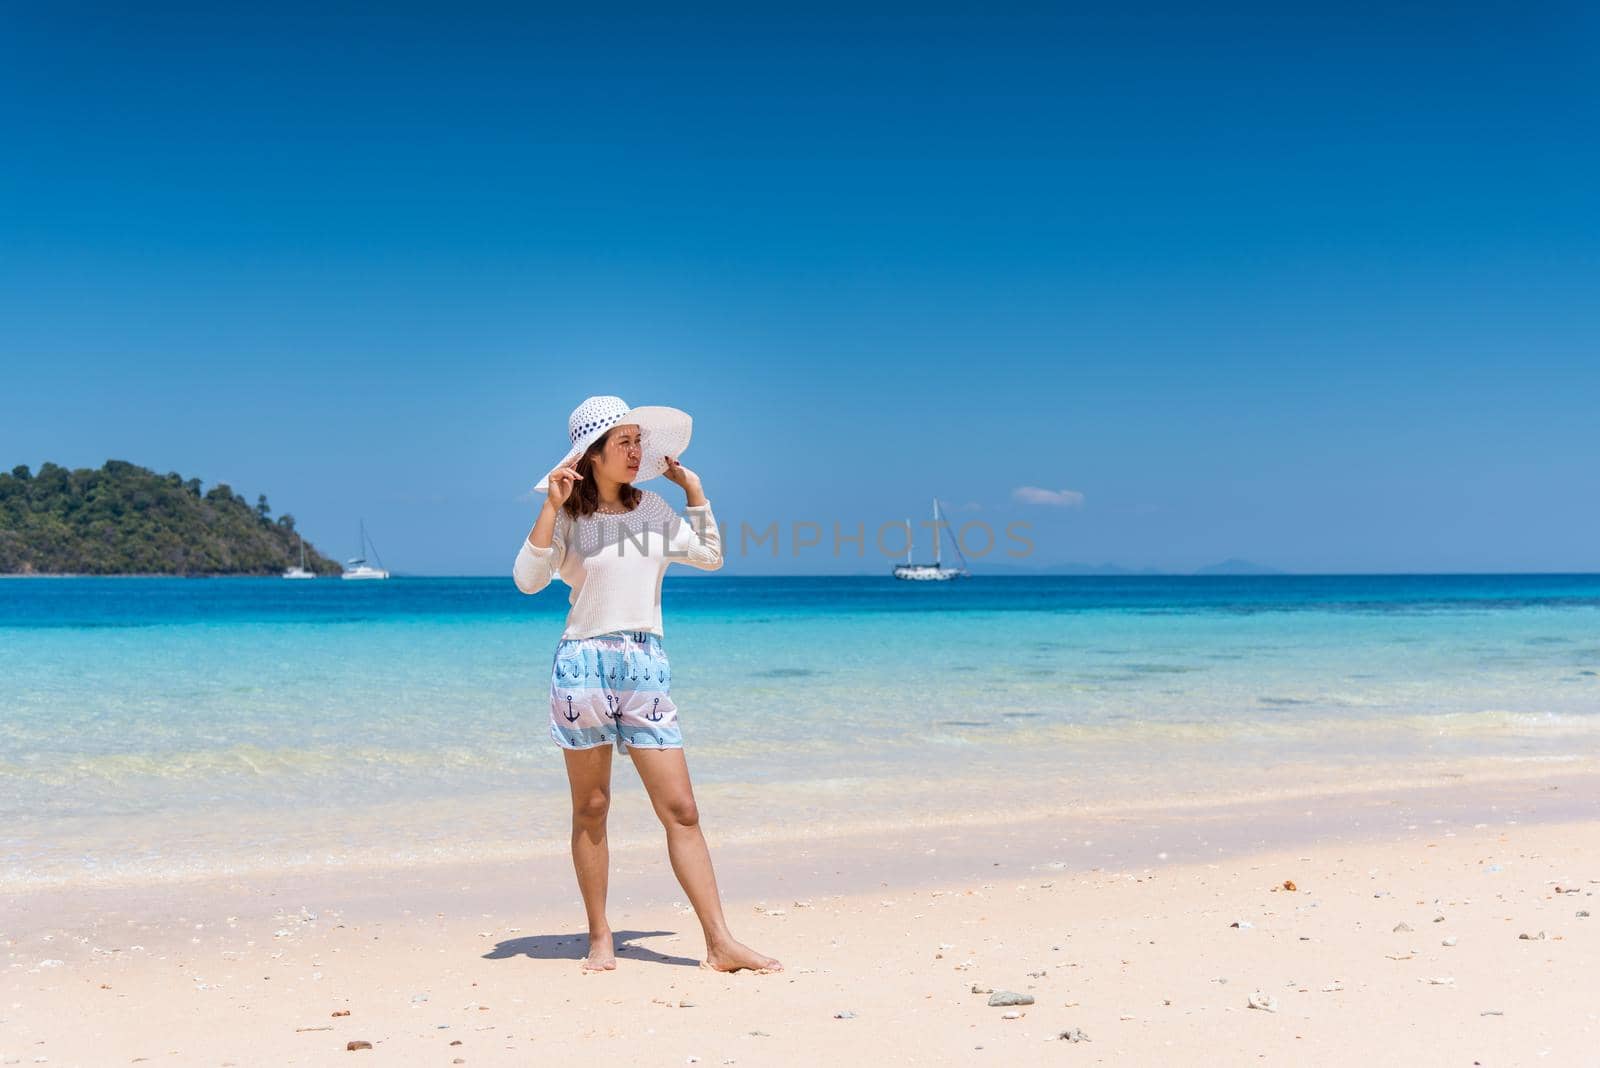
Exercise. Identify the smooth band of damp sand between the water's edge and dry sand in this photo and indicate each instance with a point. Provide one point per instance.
(910, 855)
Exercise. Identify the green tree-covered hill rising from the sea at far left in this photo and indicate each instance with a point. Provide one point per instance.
(129, 520)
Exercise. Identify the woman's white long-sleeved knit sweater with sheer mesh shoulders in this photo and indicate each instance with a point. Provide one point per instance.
(615, 564)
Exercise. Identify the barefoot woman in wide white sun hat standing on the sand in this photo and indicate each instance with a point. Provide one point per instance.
(612, 544)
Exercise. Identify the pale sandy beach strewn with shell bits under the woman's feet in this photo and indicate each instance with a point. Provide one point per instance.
(1401, 942)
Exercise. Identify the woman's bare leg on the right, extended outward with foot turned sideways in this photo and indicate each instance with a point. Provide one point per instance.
(666, 778)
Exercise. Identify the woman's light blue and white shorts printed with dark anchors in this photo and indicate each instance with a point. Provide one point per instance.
(614, 690)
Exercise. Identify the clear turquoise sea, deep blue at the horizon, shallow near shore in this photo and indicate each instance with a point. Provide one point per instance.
(158, 728)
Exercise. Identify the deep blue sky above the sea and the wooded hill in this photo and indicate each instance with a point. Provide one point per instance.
(1314, 290)
